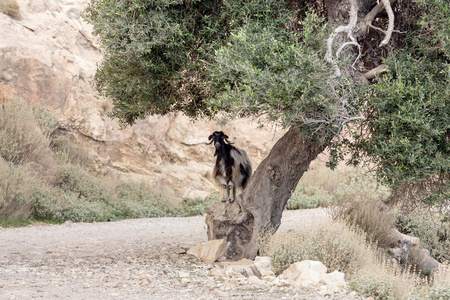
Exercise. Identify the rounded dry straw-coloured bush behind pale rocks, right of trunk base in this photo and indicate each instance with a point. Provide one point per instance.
(335, 245)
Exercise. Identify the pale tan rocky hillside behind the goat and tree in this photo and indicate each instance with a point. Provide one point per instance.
(49, 57)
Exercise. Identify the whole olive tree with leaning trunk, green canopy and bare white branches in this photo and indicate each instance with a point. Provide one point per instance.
(348, 75)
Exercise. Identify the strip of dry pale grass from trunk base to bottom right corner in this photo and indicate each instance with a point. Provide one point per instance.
(366, 267)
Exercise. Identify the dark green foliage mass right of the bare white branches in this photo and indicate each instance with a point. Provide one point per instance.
(406, 132)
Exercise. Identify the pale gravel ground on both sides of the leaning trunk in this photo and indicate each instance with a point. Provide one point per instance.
(130, 259)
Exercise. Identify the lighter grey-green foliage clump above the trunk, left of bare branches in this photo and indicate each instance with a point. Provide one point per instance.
(265, 68)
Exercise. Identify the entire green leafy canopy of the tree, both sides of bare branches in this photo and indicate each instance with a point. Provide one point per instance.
(247, 58)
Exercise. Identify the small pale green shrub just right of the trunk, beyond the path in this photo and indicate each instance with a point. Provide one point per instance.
(308, 197)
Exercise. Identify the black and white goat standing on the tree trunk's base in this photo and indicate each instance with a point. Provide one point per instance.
(233, 168)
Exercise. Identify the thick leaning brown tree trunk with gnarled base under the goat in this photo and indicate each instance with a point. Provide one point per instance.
(259, 208)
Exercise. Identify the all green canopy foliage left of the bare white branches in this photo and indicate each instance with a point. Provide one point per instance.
(205, 57)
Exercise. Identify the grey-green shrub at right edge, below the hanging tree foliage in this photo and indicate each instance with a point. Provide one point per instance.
(432, 230)
